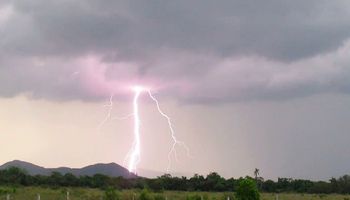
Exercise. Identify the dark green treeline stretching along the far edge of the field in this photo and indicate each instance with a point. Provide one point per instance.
(212, 182)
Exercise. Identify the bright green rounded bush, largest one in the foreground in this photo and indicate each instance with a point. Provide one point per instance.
(247, 190)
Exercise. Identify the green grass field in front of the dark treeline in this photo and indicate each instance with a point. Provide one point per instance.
(30, 193)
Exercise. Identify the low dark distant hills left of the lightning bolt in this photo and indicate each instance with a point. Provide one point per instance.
(110, 169)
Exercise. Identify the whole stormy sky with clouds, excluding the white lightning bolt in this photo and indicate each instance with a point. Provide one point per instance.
(247, 84)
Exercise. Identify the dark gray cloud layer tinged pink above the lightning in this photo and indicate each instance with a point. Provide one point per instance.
(201, 51)
